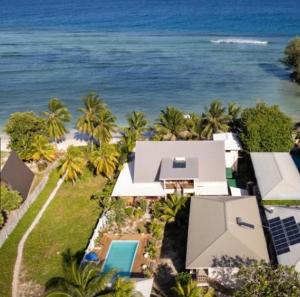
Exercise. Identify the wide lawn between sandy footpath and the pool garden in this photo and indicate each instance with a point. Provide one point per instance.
(67, 223)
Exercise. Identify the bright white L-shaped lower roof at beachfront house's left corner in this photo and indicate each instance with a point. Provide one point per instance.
(125, 187)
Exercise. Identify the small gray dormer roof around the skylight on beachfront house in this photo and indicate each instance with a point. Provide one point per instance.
(168, 172)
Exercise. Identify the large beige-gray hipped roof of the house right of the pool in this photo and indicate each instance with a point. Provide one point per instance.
(214, 233)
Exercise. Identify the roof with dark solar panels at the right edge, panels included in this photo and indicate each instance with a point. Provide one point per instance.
(284, 223)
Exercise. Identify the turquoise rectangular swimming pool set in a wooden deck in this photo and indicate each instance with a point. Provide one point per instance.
(120, 256)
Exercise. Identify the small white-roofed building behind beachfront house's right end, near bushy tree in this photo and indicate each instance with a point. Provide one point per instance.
(232, 148)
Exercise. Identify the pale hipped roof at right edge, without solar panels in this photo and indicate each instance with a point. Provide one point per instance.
(277, 175)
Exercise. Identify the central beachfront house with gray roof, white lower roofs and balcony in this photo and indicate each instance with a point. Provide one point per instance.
(159, 168)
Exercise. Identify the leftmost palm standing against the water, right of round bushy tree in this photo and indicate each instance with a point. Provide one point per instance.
(56, 118)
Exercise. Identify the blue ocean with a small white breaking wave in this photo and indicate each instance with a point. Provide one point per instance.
(145, 55)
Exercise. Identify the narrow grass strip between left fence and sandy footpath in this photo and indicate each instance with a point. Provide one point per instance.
(8, 251)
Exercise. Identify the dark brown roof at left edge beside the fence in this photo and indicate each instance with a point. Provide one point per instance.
(16, 175)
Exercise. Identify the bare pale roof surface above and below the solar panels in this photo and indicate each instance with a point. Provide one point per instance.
(292, 258)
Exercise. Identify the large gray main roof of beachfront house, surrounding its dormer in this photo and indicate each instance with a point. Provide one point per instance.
(150, 154)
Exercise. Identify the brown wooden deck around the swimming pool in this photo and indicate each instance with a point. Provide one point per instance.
(139, 258)
